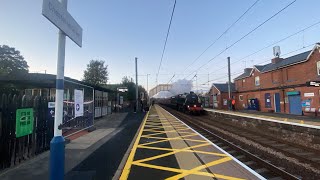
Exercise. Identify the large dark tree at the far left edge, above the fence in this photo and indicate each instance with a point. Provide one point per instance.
(12, 62)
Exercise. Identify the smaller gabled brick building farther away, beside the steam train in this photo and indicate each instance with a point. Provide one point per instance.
(219, 95)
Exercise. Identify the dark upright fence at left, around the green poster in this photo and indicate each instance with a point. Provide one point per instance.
(13, 149)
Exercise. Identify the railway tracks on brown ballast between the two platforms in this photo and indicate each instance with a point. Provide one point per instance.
(256, 159)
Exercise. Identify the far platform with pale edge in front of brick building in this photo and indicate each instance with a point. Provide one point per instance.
(303, 121)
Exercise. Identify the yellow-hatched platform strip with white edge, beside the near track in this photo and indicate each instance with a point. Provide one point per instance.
(166, 148)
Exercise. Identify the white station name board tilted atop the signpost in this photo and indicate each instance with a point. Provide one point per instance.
(60, 17)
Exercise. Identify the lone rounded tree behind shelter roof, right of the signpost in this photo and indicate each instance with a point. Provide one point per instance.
(96, 73)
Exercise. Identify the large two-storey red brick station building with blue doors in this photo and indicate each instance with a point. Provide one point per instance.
(281, 86)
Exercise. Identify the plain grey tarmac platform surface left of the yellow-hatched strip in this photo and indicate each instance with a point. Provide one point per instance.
(95, 155)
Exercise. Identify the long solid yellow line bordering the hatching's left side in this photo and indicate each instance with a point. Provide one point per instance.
(127, 167)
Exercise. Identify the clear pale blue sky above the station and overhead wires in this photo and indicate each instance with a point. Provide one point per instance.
(117, 31)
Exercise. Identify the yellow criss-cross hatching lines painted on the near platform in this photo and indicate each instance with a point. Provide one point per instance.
(154, 126)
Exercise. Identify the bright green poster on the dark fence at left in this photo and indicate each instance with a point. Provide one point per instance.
(24, 122)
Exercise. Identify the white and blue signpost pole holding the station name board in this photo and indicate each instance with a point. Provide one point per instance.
(57, 144)
